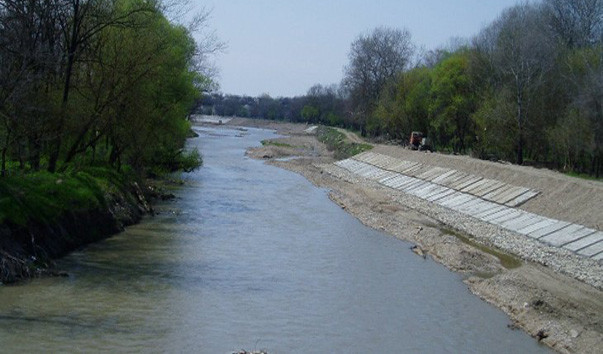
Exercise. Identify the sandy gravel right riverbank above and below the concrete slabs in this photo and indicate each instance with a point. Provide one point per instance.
(540, 297)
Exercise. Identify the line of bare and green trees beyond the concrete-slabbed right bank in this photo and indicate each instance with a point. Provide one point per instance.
(528, 89)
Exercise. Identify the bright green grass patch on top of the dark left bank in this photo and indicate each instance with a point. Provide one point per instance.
(44, 197)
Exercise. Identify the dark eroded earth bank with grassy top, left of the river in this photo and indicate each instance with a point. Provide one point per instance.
(45, 216)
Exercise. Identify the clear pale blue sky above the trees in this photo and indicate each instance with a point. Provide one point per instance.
(283, 47)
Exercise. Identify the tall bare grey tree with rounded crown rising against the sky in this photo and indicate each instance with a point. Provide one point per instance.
(375, 58)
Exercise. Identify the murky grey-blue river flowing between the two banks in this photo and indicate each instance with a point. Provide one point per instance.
(250, 256)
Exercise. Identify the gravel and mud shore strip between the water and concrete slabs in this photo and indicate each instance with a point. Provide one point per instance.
(554, 296)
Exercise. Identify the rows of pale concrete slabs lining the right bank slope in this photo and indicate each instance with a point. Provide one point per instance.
(488, 200)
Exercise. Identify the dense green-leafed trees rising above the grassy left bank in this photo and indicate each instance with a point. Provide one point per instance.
(94, 82)
